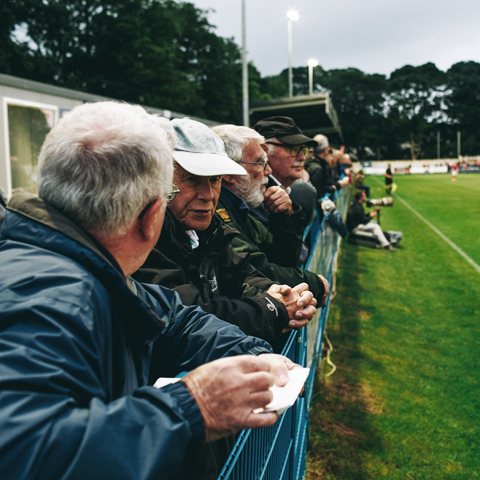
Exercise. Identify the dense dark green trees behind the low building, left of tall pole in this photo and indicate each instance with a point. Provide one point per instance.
(157, 52)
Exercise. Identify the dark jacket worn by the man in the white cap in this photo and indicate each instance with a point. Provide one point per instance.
(215, 277)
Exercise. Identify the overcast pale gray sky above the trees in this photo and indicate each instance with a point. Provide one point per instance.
(376, 36)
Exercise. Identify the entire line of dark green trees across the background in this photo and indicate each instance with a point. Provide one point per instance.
(166, 54)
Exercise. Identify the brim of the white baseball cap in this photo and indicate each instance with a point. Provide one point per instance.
(208, 164)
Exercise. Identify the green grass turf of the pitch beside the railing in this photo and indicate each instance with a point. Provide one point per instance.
(404, 402)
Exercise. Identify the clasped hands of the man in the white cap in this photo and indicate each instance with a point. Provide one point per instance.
(299, 302)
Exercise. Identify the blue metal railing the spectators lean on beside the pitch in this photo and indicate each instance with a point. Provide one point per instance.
(279, 452)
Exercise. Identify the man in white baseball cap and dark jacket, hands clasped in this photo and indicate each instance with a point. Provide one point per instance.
(194, 257)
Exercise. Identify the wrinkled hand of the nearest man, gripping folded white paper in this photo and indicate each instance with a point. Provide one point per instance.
(227, 391)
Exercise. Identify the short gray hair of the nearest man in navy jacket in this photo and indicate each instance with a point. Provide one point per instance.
(103, 163)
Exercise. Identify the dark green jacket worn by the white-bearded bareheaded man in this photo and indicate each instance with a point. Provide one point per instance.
(264, 247)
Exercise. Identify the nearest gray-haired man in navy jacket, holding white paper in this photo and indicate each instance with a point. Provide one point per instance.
(76, 332)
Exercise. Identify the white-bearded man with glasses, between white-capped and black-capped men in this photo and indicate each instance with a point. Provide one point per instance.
(274, 252)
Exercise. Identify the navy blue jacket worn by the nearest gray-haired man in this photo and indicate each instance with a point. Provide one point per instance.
(75, 349)
